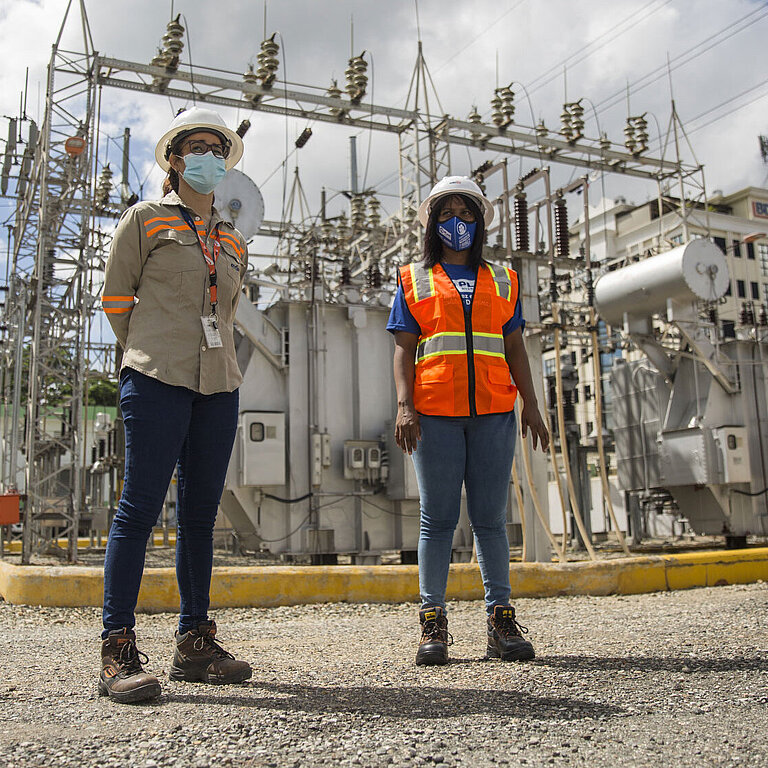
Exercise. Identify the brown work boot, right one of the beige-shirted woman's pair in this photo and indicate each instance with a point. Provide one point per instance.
(198, 658)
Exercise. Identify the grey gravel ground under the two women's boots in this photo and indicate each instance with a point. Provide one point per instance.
(677, 679)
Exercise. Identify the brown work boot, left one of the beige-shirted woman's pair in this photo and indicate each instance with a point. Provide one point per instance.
(122, 677)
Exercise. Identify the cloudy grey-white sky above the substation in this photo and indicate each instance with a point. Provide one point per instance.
(716, 48)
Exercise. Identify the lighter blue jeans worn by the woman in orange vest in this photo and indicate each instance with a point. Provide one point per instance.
(476, 452)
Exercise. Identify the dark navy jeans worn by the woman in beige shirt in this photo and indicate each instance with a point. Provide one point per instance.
(165, 425)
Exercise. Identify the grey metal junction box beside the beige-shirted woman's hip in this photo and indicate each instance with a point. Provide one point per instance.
(262, 457)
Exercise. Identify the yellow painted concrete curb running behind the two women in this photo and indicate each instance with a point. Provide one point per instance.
(270, 586)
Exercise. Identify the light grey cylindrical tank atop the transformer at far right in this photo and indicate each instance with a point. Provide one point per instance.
(696, 270)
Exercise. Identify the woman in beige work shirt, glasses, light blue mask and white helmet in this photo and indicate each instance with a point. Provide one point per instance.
(172, 284)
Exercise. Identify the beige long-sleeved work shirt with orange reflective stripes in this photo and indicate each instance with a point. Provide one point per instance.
(156, 290)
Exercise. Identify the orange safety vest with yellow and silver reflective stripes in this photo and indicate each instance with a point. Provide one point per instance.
(461, 369)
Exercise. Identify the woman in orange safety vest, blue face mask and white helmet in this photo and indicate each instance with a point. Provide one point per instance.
(458, 329)
